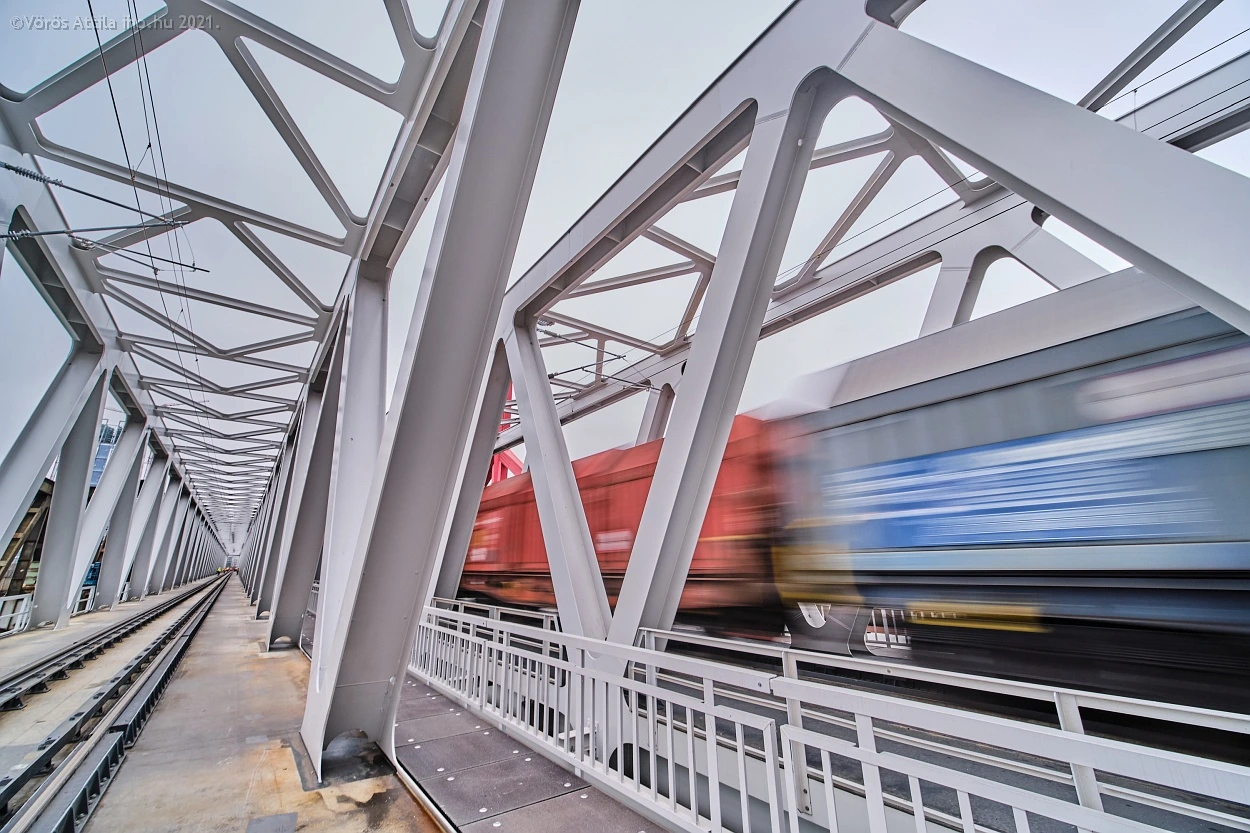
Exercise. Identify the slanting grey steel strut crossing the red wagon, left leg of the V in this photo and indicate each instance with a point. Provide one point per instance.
(579, 586)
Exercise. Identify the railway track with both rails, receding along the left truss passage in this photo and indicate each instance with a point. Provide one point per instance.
(58, 785)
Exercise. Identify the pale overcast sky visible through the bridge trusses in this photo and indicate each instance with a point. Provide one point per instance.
(633, 68)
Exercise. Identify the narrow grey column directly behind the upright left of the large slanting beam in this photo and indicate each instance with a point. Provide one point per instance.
(308, 527)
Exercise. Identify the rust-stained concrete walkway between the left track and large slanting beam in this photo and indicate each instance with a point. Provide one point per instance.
(218, 752)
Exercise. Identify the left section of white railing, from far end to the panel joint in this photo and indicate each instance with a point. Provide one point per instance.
(651, 746)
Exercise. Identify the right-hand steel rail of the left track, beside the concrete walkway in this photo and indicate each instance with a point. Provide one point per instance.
(119, 710)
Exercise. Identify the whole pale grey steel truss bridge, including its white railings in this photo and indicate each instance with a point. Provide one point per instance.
(376, 507)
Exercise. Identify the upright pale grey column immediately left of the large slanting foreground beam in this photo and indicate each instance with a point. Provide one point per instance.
(361, 413)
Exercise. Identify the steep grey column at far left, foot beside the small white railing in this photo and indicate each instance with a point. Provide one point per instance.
(66, 516)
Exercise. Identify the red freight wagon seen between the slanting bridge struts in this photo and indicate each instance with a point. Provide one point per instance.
(732, 567)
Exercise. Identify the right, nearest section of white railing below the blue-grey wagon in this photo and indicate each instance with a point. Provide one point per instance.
(877, 754)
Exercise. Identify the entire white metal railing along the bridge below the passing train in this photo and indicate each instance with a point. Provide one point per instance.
(564, 696)
